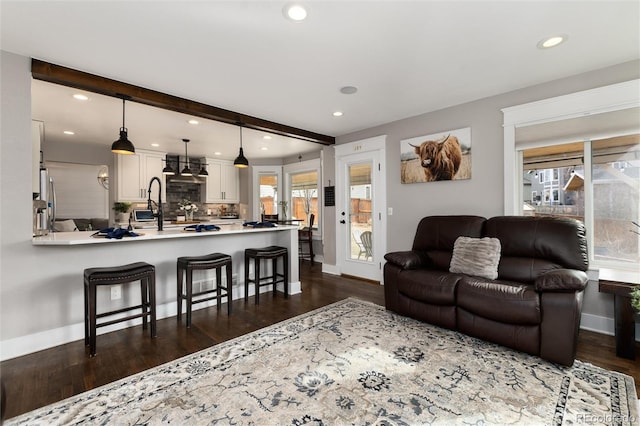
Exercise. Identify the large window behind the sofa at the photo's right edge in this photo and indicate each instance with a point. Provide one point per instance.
(605, 195)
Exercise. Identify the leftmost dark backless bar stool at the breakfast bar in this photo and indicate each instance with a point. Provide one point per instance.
(94, 277)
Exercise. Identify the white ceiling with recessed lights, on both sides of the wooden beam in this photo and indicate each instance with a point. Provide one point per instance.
(406, 58)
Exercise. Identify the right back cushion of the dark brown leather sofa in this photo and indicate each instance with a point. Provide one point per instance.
(532, 246)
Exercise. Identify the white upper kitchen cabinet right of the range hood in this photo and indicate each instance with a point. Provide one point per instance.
(223, 182)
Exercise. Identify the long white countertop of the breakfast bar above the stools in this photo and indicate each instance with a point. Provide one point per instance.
(85, 237)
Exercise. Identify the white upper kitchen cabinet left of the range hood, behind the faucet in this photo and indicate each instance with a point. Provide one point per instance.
(134, 172)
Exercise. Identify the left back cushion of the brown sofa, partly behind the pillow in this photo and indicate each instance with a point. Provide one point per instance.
(436, 236)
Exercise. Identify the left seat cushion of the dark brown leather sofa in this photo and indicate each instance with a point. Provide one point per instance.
(433, 287)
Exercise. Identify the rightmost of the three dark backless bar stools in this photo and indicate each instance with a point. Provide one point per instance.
(257, 255)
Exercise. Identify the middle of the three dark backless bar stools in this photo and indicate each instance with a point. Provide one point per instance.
(210, 261)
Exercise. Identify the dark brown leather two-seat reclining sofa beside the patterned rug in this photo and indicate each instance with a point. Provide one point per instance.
(533, 306)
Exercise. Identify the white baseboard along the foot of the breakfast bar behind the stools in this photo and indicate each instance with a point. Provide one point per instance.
(35, 342)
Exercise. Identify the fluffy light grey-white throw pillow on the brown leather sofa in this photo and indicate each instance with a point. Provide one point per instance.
(476, 256)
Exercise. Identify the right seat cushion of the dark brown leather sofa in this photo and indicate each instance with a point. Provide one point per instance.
(502, 301)
